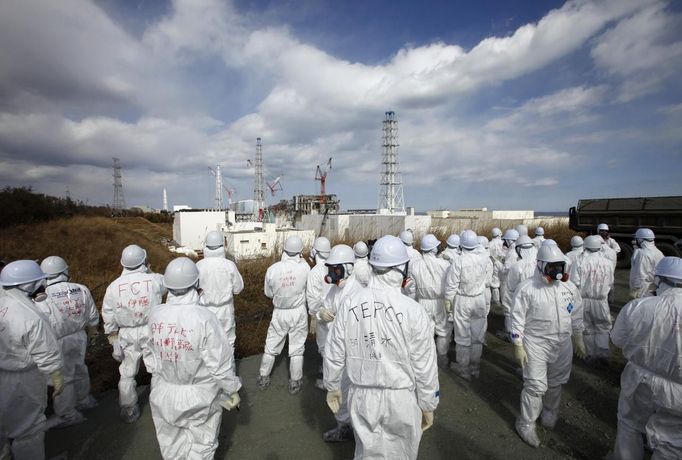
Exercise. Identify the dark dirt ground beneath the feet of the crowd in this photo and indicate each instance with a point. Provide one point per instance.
(474, 420)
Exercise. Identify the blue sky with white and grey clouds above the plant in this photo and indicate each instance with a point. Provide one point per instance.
(499, 105)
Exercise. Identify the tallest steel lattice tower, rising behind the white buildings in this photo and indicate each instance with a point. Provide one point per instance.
(391, 182)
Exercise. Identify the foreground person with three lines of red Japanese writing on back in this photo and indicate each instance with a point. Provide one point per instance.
(191, 362)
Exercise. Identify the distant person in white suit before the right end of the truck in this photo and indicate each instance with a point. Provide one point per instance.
(643, 263)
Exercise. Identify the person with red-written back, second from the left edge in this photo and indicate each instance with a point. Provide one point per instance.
(70, 309)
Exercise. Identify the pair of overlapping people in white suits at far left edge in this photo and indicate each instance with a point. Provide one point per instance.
(45, 321)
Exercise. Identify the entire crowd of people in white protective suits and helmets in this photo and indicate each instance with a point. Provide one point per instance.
(384, 318)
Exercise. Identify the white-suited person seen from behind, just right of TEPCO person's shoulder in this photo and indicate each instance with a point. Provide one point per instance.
(429, 278)
